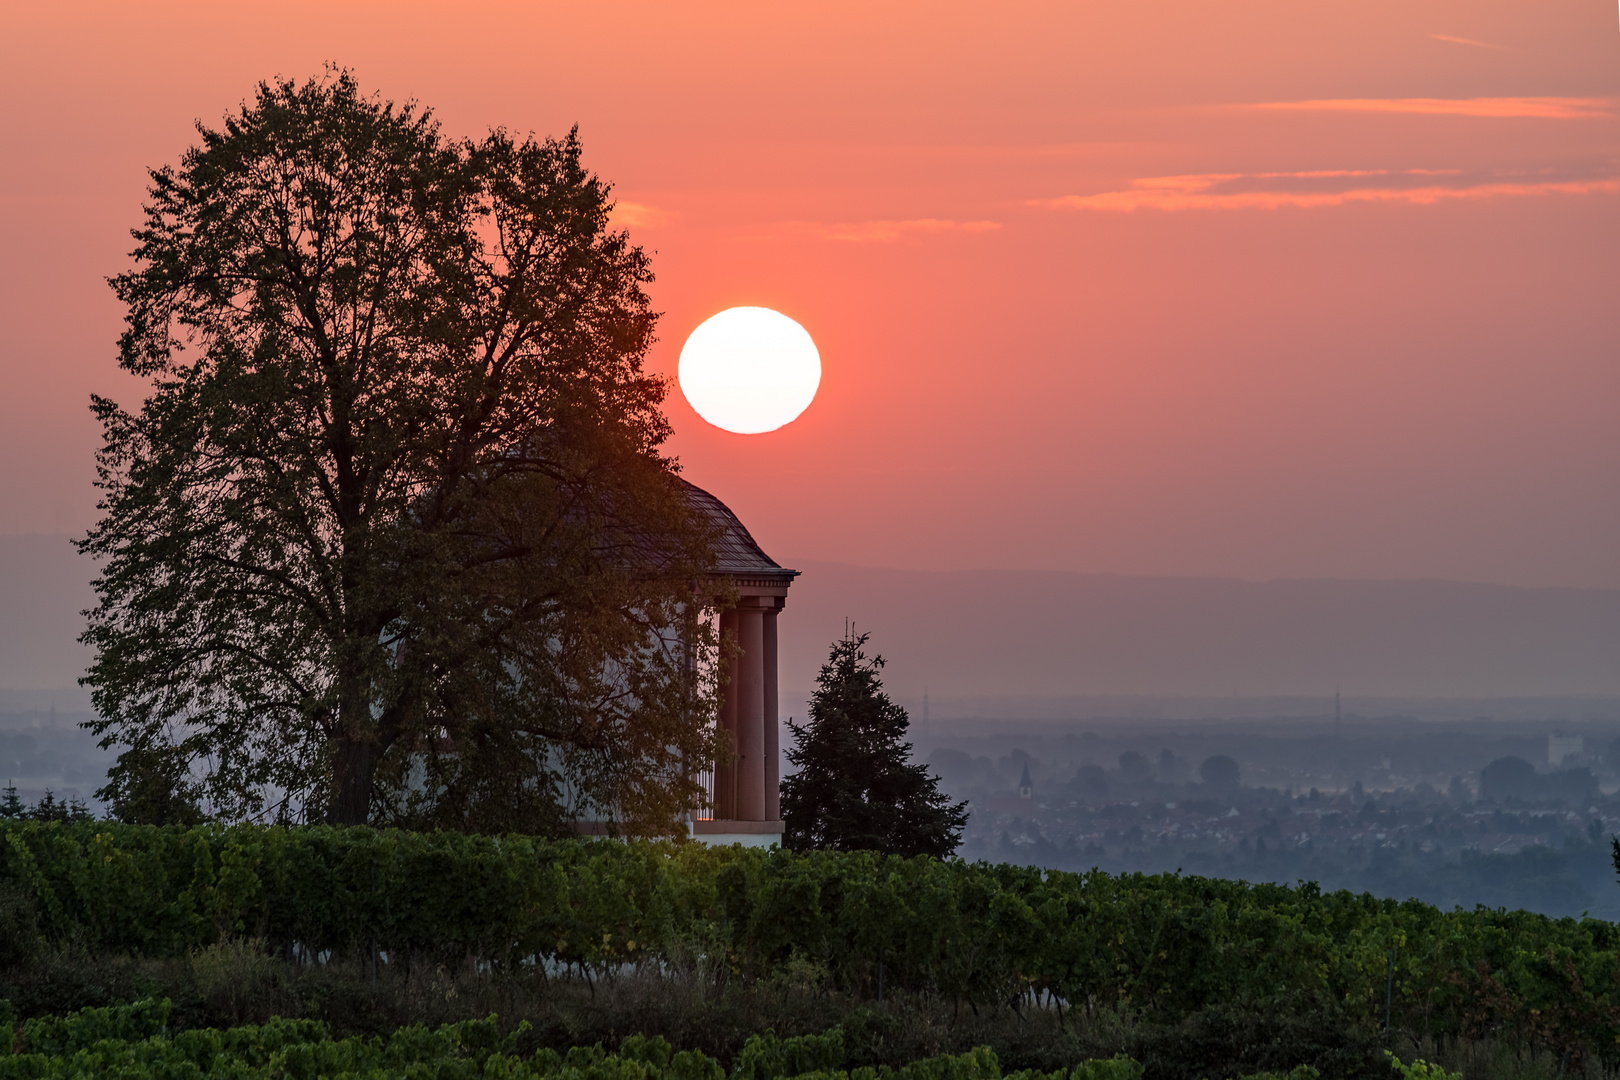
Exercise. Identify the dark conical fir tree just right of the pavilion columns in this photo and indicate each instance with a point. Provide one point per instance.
(856, 788)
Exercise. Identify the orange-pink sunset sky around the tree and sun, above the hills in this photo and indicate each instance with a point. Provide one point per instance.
(1258, 289)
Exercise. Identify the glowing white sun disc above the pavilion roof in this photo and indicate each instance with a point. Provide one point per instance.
(749, 370)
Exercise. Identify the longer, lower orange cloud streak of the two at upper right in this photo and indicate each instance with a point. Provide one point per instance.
(1203, 192)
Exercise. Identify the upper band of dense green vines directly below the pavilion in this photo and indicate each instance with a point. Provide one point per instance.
(973, 938)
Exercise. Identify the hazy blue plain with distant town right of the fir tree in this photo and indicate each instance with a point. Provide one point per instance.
(1488, 812)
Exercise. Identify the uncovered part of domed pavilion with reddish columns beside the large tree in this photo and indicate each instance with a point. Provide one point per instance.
(746, 794)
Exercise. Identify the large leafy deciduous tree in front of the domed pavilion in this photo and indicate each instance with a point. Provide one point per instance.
(391, 535)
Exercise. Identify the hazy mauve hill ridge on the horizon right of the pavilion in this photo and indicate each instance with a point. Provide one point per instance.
(1052, 634)
